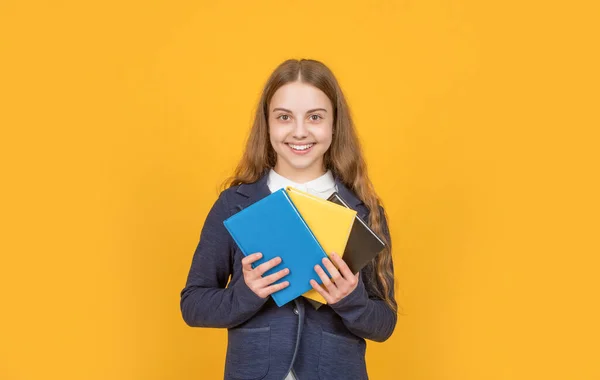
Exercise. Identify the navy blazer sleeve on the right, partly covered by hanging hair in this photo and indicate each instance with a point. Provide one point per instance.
(365, 314)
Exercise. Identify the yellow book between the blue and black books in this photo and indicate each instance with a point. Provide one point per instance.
(328, 221)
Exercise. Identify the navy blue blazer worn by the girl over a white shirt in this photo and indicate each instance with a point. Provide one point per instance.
(264, 340)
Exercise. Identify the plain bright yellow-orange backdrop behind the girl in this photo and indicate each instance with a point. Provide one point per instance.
(479, 122)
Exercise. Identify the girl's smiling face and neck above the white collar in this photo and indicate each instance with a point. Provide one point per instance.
(300, 130)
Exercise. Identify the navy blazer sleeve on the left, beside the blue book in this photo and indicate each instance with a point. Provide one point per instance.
(206, 300)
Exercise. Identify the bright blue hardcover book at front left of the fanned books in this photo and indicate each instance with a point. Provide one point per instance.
(274, 227)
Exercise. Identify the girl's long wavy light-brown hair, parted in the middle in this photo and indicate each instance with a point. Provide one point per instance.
(344, 157)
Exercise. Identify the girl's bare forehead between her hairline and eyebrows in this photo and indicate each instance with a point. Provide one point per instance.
(299, 97)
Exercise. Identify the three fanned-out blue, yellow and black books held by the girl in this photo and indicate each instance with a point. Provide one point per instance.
(302, 229)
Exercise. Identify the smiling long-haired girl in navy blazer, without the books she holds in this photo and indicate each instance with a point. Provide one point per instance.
(302, 136)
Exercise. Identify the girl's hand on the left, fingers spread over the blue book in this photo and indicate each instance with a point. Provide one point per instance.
(260, 285)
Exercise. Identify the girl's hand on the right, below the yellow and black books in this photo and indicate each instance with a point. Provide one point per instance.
(340, 284)
